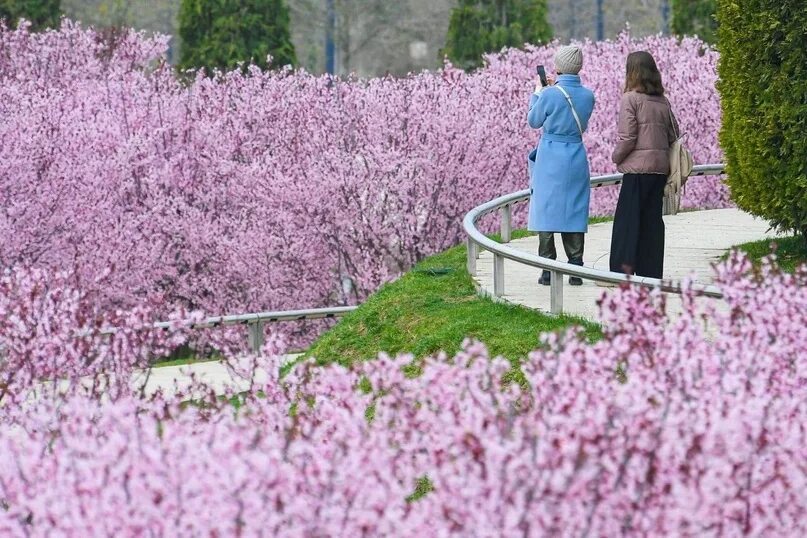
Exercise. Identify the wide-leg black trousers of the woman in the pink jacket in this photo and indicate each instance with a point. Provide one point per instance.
(637, 241)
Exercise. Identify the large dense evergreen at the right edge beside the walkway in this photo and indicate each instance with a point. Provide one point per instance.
(763, 93)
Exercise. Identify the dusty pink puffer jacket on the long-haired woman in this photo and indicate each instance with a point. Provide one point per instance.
(647, 129)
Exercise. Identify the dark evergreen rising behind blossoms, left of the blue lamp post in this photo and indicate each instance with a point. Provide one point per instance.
(221, 33)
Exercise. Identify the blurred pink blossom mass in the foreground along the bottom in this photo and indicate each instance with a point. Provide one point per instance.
(665, 427)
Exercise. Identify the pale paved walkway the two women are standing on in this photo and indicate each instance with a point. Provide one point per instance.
(694, 241)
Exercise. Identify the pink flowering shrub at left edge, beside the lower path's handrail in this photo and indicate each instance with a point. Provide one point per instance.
(51, 333)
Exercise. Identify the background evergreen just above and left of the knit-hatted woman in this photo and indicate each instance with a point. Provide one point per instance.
(480, 26)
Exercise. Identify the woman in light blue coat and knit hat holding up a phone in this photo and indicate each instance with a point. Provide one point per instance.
(559, 172)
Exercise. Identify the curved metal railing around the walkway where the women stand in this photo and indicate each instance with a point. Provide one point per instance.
(504, 204)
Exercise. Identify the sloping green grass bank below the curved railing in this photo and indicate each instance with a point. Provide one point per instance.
(433, 308)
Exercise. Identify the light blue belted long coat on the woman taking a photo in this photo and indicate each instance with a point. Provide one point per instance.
(558, 167)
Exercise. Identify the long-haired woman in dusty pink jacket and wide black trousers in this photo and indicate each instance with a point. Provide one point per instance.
(647, 129)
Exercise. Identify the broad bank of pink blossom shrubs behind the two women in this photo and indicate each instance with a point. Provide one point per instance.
(269, 190)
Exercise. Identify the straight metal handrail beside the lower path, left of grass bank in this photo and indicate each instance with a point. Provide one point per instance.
(255, 321)
